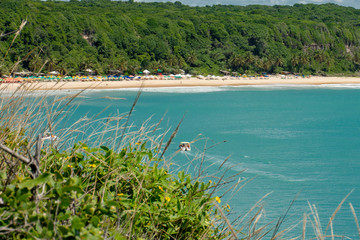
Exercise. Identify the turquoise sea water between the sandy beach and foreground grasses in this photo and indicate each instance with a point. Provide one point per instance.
(298, 142)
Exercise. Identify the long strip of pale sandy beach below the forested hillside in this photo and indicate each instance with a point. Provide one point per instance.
(188, 82)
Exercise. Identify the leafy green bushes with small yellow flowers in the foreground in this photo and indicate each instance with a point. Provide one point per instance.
(96, 193)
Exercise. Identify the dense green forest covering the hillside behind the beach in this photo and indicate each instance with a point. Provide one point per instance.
(70, 37)
